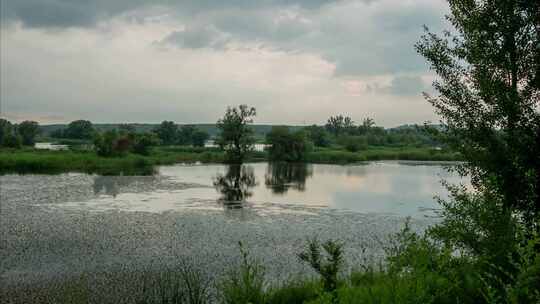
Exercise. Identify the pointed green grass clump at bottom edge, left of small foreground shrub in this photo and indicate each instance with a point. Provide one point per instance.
(245, 284)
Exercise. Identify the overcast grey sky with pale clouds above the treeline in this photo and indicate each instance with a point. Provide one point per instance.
(296, 61)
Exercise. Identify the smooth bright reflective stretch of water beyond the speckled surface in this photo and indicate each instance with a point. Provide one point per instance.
(395, 188)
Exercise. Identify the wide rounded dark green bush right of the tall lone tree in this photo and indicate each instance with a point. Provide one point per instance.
(286, 146)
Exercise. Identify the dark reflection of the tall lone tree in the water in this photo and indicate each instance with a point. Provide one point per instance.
(236, 183)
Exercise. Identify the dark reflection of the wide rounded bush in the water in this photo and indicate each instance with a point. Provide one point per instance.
(281, 176)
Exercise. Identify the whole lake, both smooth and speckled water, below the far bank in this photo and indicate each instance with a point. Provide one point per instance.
(61, 225)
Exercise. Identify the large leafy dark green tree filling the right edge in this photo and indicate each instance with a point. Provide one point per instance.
(489, 95)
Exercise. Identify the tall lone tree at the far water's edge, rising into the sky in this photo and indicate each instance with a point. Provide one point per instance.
(236, 137)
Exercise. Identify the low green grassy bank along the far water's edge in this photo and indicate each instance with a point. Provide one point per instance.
(26, 161)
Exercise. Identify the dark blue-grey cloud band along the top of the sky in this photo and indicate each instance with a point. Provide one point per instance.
(364, 37)
